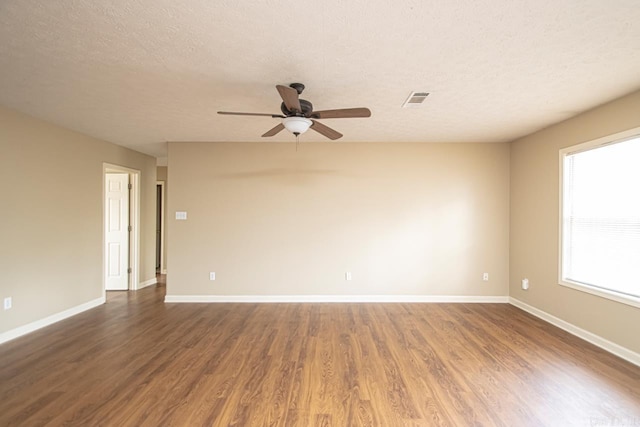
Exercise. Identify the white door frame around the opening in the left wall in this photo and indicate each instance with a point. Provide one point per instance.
(134, 221)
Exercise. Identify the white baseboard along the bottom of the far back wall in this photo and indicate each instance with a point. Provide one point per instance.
(335, 298)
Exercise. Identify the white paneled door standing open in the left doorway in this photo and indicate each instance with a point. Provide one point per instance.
(117, 231)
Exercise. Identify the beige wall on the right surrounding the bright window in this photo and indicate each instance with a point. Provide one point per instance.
(534, 224)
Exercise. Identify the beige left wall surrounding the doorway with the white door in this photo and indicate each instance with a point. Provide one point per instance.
(51, 221)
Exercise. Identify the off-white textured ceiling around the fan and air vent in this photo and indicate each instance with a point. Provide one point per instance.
(140, 73)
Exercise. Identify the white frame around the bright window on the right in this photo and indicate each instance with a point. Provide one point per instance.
(586, 146)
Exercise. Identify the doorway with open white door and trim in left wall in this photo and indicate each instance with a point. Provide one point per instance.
(121, 227)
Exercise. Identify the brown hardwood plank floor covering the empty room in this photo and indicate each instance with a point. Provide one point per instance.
(139, 362)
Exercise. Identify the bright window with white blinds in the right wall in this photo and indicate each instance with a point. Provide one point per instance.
(600, 217)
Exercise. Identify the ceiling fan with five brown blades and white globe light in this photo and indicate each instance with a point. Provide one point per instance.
(298, 115)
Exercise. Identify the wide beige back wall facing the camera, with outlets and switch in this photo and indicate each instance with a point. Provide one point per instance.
(405, 219)
